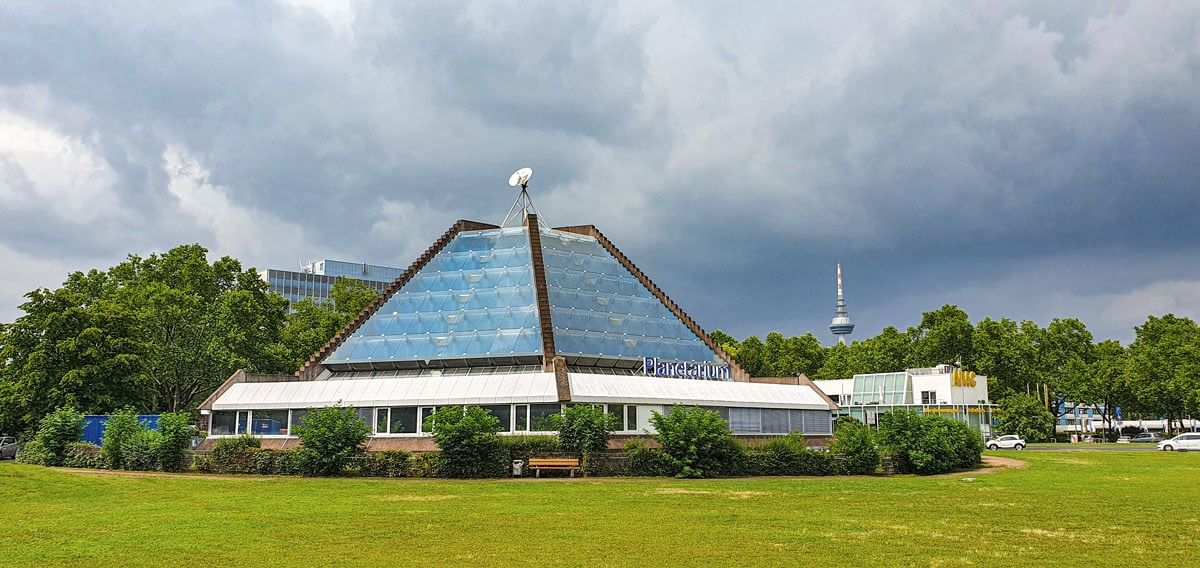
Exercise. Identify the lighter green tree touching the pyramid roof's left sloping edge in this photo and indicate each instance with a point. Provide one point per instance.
(314, 324)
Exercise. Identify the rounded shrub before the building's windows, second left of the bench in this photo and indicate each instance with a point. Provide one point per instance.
(333, 435)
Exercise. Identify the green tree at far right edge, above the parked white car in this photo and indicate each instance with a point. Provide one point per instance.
(1163, 367)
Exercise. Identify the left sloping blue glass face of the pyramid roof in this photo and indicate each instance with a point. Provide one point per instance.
(473, 300)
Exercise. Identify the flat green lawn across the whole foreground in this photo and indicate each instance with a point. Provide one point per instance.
(1078, 509)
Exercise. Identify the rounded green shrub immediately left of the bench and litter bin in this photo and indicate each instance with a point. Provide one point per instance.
(467, 441)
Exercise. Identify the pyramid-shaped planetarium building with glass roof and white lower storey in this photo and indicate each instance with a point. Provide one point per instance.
(521, 320)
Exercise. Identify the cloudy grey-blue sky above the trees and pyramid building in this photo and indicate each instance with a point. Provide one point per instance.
(1023, 160)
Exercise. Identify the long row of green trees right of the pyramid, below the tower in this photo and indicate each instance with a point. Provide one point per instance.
(1159, 375)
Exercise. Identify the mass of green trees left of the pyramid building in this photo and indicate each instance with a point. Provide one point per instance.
(157, 334)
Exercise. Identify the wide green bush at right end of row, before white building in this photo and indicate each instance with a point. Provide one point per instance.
(928, 444)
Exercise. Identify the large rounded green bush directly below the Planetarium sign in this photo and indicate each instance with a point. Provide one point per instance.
(698, 443)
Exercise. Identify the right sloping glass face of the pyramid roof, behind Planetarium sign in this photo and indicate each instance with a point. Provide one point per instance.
(599, 309)
